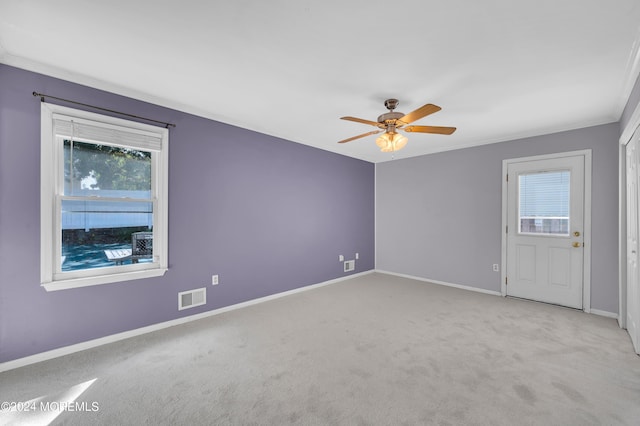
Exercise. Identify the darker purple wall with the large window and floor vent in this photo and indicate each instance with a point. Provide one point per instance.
(267, 215)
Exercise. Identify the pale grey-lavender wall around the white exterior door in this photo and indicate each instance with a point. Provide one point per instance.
(439, 216)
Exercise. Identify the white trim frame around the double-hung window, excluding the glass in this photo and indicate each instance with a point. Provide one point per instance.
(50, 162)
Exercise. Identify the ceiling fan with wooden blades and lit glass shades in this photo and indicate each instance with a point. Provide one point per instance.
(390, 122)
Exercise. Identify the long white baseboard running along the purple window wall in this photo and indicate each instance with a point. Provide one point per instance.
(55, 353)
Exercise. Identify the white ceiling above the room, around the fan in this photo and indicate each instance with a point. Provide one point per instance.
(500, 69)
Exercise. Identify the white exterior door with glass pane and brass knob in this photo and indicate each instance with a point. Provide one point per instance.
(545, 230)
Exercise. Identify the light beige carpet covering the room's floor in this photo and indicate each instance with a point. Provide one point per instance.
(374, 350)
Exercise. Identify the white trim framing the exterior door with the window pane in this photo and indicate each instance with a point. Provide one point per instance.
(586, 273)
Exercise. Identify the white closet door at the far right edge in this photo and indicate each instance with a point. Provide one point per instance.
(633, 293)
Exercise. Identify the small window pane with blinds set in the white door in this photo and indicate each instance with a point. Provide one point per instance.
(544, 203)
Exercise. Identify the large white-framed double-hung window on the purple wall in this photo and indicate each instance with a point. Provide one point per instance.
(103, 199)
